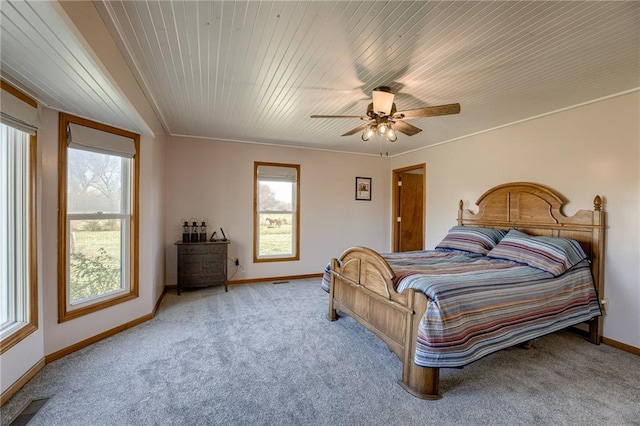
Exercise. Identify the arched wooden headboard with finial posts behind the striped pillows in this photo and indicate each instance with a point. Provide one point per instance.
(537, 210)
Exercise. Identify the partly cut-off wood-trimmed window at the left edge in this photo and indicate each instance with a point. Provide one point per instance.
(18, 251)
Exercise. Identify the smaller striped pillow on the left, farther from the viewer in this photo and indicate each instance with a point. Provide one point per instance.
(471, 240)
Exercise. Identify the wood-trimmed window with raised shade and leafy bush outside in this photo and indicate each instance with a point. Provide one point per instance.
(98, 175)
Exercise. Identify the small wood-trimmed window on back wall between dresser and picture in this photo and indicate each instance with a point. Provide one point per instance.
(276, 212)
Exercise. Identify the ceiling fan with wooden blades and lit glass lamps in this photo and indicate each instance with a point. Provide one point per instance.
(383, 118)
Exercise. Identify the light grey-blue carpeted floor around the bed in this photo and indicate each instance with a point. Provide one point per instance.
(265, 354)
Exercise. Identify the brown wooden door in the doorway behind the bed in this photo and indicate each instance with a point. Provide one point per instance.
(409, 209)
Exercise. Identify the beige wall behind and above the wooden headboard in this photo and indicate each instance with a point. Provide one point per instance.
(582, 152)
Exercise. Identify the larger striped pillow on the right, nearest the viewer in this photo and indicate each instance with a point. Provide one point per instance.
(550, 254)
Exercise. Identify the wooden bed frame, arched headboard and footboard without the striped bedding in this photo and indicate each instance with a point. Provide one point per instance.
(361, 283)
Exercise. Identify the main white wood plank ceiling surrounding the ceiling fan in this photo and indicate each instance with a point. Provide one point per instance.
(255, 71)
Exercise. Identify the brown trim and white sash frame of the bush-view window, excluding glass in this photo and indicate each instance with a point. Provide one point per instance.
(129, 217)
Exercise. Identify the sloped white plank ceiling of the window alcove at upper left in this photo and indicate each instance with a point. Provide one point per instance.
(42, 55)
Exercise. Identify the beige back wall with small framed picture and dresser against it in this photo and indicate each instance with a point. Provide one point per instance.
(214, 180)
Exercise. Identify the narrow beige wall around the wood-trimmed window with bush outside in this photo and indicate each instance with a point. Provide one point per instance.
(58, 336)
